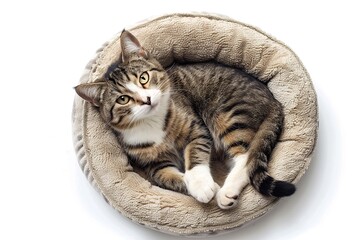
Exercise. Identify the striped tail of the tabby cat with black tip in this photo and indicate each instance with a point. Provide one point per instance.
(259, 155)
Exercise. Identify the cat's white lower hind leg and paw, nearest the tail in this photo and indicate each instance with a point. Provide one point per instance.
(238, 177)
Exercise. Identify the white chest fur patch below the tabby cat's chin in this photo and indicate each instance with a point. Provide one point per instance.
(148, 131)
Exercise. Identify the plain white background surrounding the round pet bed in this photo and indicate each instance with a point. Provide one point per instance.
(44, 48)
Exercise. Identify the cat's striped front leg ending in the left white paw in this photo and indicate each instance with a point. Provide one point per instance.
(198, 179)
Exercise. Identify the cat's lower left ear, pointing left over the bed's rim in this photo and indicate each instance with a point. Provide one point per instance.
(91, 92)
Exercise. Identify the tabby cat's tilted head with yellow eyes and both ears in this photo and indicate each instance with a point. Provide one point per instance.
(135, 89)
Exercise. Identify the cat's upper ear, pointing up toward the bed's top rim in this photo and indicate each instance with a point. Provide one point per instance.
(130, 45)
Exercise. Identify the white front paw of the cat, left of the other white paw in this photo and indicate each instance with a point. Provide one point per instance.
(200, 183)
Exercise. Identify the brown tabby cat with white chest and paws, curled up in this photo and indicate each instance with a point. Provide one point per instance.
(170, 121)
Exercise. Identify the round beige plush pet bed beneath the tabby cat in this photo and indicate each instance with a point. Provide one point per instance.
(198, 38)
